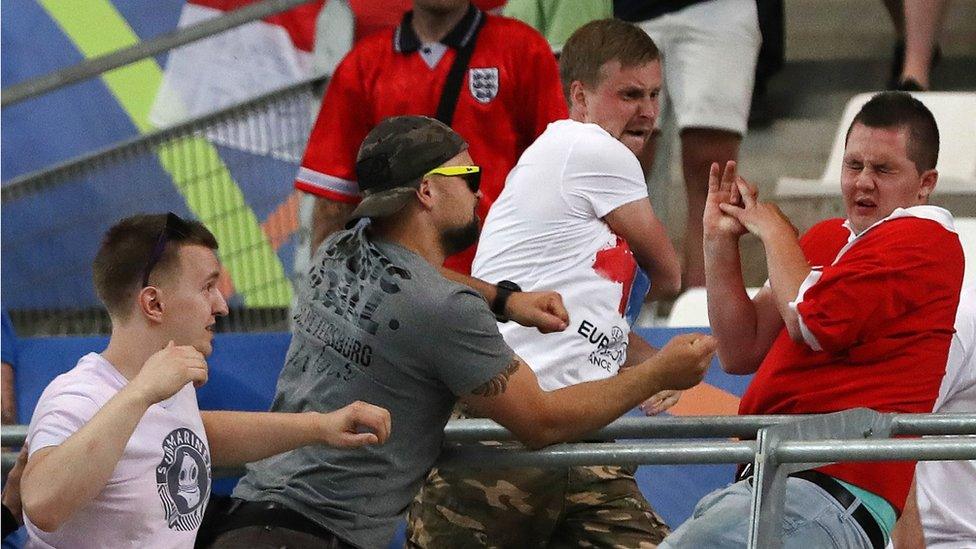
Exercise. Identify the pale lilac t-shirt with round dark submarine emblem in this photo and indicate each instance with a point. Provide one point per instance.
(159, 489)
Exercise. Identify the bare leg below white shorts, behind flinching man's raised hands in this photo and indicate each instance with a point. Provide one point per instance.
(699, 148)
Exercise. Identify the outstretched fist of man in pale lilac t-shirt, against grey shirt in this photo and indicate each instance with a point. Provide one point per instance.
(355, 425)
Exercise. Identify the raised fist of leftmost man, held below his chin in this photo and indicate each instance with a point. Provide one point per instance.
(168, 370)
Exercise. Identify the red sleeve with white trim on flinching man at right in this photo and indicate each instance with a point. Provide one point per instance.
(882, 276)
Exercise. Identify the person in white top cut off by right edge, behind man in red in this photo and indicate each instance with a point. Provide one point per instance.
(941, 508)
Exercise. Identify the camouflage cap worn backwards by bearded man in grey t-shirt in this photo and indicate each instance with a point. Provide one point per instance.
(393, 158)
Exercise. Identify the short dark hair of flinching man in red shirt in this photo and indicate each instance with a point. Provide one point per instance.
(896, 109)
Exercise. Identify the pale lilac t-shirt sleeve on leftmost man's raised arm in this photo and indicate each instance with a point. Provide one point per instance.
(59, 416)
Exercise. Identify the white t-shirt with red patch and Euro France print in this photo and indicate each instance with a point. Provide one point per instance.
(546, 232)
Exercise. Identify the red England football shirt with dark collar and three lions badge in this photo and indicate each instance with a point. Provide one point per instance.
(517, 95)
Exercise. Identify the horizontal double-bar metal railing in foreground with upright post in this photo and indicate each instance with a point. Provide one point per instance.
(783, 444)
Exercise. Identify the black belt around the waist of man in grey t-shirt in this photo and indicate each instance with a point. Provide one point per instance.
(242, 513)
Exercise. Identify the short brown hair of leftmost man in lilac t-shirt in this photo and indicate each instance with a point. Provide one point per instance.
(125, 252)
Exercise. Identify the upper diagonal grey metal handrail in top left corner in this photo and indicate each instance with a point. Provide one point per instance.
(104, 63)
